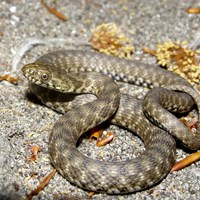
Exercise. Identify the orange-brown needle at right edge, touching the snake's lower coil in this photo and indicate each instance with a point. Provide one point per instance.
(194, 157)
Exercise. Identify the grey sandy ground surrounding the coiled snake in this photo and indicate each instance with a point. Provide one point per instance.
(23, 123)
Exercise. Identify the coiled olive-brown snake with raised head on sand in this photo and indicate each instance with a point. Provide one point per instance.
(62, 80)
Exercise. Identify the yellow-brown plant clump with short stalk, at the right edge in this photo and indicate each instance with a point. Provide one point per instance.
(178, 59)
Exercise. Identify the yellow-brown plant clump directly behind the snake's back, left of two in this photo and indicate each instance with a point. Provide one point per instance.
(109, 39)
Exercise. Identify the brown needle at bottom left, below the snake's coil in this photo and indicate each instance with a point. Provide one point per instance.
(42, 184)
